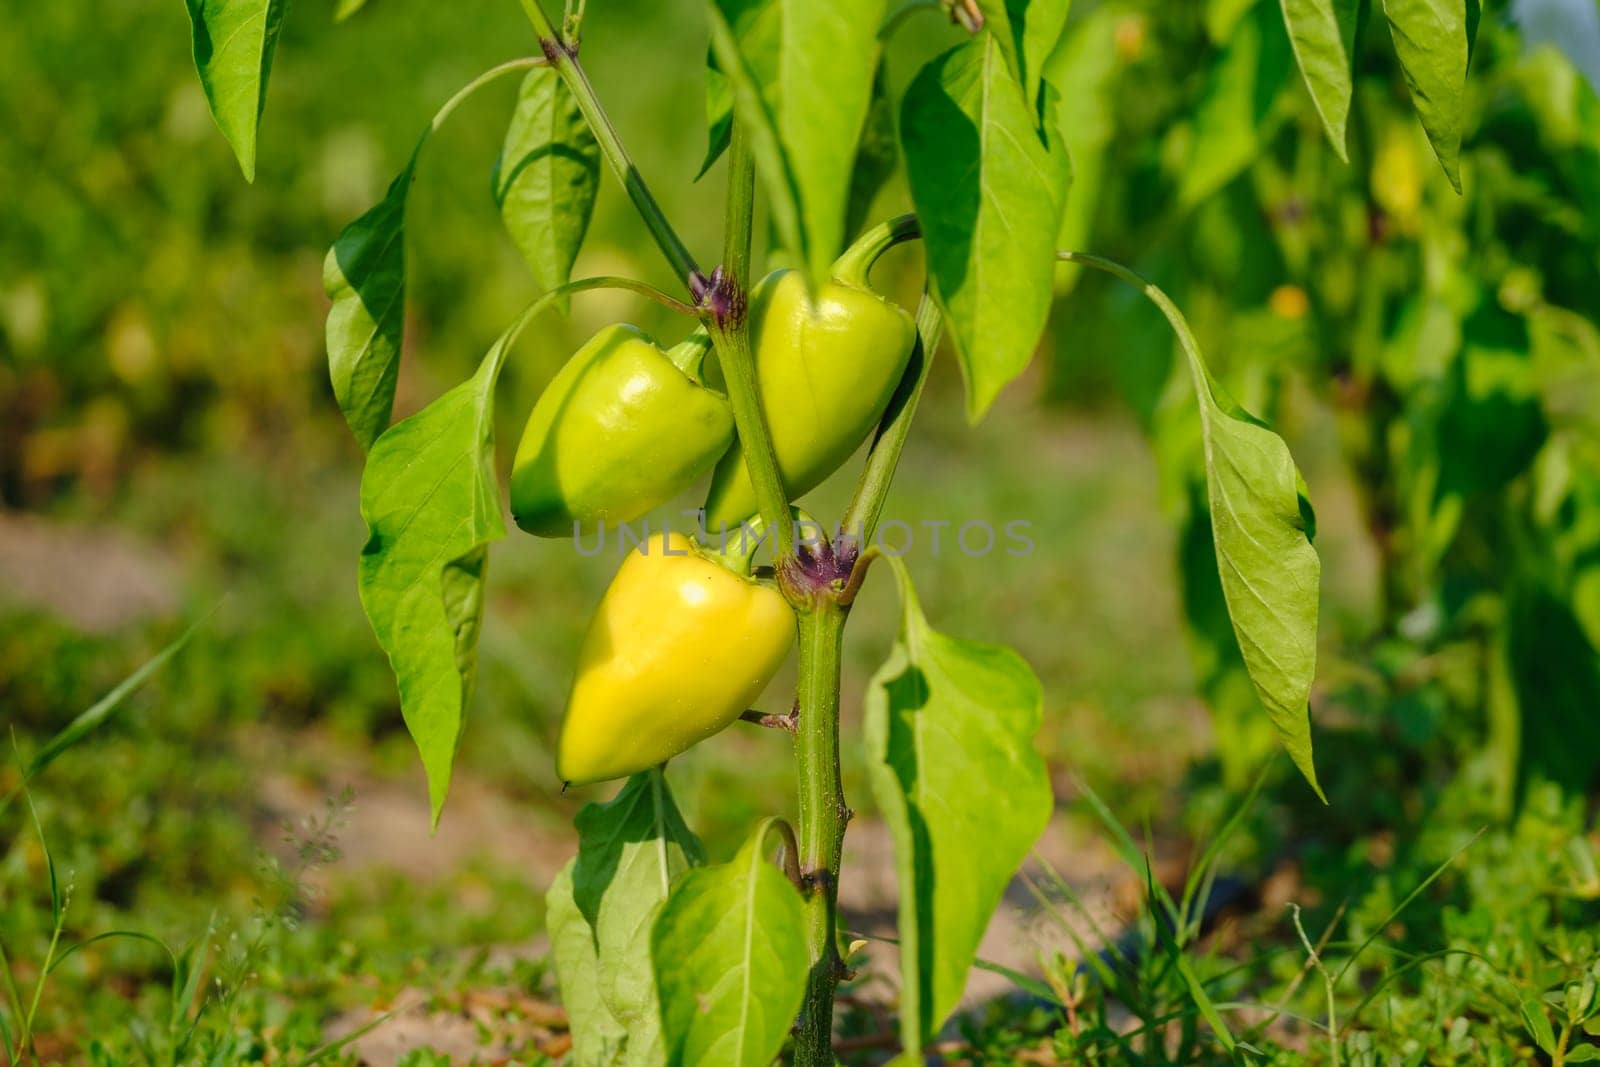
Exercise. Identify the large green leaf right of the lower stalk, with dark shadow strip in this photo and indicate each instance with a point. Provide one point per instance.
(950, 732)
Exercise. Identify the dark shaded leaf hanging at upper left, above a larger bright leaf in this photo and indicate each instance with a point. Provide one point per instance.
(366, 279)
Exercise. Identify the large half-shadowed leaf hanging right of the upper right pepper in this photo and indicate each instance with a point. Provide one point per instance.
(990, 193)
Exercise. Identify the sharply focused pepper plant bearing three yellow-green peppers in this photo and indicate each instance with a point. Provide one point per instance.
(662, 954)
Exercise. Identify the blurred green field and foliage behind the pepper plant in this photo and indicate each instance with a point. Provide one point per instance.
(170, 447)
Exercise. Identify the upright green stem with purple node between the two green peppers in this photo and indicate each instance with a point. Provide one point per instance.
(726, 310)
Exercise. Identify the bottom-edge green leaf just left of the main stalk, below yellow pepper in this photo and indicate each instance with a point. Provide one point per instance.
(732, 961)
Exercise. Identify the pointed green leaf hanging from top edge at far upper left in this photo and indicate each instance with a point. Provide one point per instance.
(233, 46)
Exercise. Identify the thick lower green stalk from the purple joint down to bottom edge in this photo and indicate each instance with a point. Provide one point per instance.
(823, 818)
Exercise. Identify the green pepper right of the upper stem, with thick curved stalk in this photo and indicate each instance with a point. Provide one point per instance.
(826, 369)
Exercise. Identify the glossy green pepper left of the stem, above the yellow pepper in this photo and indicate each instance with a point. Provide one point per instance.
(623, 428)
